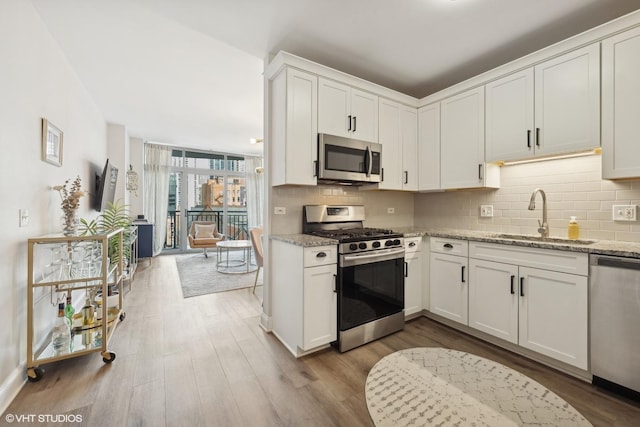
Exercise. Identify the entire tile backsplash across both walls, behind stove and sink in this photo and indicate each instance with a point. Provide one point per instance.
(573, 187)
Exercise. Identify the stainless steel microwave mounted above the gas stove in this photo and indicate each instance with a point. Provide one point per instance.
(348, 161)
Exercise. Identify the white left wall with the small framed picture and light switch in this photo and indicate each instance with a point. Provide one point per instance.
(36, 81)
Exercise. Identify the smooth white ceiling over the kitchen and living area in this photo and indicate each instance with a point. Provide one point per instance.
(188, 72)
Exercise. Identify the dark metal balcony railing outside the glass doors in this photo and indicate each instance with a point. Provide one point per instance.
(237, 228)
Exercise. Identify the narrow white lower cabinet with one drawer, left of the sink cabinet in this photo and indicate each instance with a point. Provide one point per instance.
(448, 287)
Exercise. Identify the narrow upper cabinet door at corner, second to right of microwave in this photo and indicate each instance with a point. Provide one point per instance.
(409, 142)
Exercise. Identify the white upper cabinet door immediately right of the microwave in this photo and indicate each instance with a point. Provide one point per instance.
(389, 137)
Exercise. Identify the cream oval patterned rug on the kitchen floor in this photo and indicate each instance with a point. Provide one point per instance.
(441, 387)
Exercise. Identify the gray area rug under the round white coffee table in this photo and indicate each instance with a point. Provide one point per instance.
(198, 275)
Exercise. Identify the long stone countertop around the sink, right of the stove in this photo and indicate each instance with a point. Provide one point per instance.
(602, 247)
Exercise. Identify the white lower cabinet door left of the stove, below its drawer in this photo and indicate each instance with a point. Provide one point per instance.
(320, 306)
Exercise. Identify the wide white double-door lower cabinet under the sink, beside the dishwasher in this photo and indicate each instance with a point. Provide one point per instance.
(539, 309)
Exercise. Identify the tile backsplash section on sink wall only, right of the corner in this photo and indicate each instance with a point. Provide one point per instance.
(573, 187)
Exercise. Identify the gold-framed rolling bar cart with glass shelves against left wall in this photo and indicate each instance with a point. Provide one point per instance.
(80, 268)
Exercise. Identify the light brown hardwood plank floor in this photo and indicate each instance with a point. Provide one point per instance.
(204, 361)
